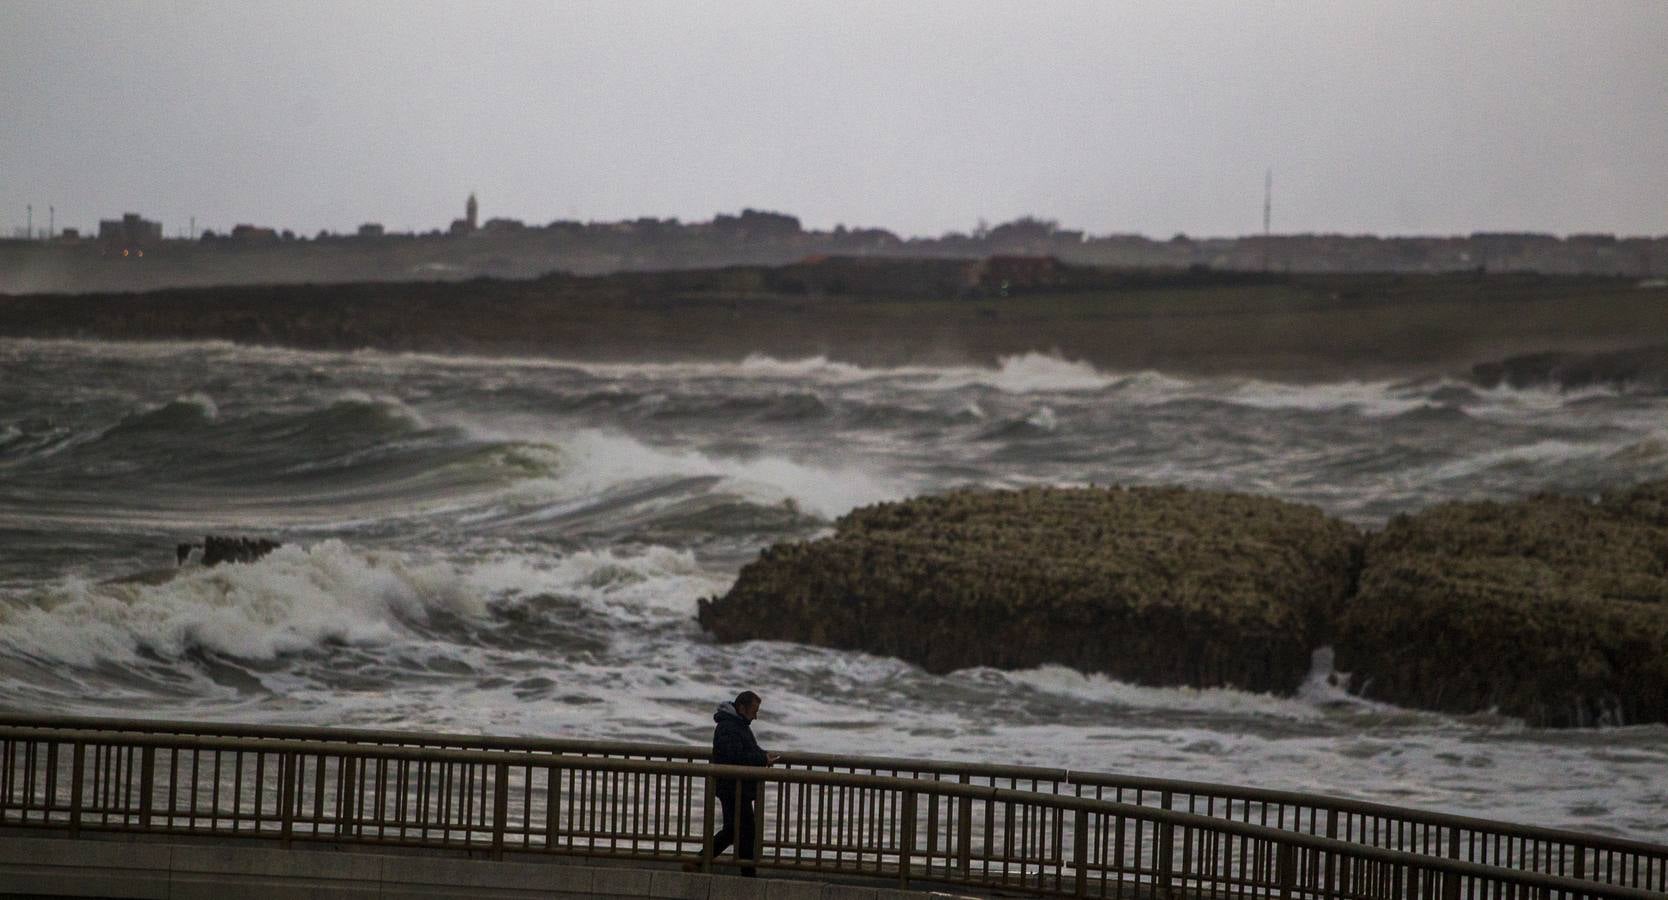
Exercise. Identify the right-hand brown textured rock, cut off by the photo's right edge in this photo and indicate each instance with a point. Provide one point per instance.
(1552, 609)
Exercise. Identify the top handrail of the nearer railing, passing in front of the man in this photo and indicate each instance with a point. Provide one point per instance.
(83, 737)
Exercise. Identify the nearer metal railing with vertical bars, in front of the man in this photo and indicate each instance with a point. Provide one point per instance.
(907, 829)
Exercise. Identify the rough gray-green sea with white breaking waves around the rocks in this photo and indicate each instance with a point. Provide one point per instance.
(518, 547)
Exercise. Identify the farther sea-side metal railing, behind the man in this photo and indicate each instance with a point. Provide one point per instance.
(1464, 839)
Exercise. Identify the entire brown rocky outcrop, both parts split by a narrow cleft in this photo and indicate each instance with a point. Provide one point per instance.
(1552, 609)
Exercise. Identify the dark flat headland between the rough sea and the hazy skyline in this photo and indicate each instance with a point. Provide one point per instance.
(1285, 327)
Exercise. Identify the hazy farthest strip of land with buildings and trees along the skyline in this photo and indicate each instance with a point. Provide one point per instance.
(133, 254)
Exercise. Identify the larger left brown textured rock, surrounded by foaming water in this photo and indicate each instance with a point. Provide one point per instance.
(1153, 586)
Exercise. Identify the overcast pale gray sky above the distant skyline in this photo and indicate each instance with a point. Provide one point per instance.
(1155, 116)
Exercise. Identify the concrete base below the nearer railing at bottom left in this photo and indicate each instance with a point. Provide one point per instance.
(131, 867)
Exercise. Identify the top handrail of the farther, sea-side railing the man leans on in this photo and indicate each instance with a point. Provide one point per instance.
(386, 737)
